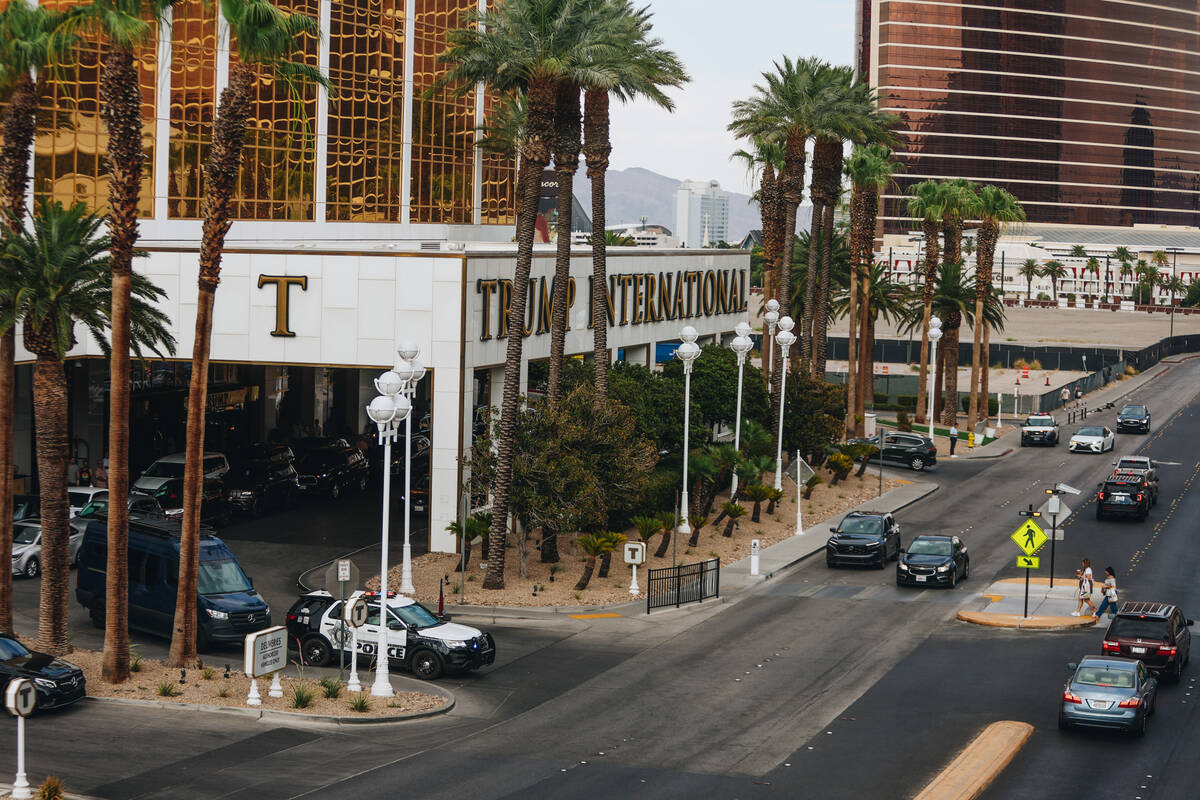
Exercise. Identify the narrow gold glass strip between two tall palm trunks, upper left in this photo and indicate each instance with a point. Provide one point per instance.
(194, 82)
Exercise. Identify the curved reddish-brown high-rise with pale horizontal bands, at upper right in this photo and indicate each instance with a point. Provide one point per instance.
(1085, 111)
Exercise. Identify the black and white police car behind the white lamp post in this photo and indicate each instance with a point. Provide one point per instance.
(418, 640)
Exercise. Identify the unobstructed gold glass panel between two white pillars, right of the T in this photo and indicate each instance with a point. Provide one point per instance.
(367, 110)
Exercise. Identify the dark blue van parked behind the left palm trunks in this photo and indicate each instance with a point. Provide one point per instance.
(230, 607)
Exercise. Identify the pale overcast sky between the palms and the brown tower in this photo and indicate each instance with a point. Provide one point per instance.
(725, 46)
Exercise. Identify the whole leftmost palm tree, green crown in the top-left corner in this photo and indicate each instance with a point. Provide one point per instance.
(32, 39)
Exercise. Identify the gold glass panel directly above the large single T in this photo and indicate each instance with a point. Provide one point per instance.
(279, 165)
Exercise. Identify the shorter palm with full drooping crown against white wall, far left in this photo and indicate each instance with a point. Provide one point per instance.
(57, 275)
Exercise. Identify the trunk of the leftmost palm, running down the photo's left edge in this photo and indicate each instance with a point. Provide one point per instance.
(17, 131)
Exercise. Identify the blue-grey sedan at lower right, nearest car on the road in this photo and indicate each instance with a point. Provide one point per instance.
(1109, 693)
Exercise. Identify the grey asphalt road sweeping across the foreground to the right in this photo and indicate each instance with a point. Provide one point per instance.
(831, 684)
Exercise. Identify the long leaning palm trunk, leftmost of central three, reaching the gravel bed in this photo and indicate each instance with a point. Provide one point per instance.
(536, 149)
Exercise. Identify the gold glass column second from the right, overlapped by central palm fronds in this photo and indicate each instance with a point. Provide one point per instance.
(443, 127)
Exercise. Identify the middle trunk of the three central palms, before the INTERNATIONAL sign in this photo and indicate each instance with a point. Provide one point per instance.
(567, 161)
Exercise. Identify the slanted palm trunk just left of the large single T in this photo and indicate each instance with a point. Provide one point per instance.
(225, 164)
